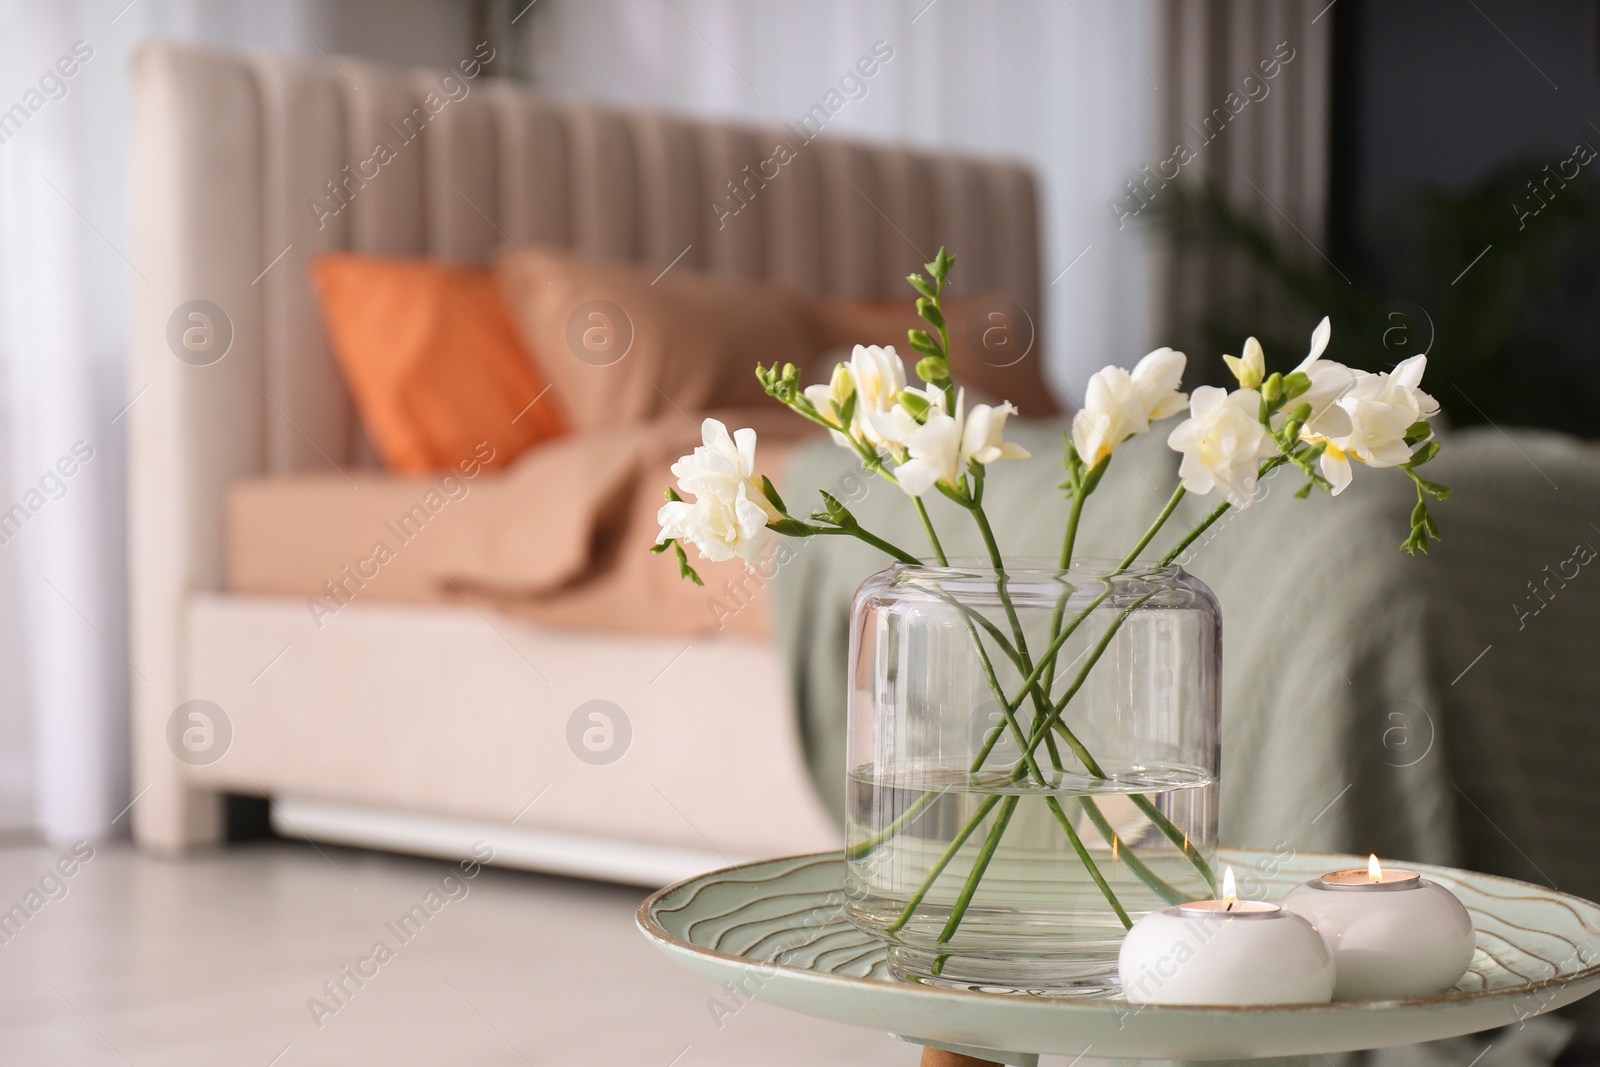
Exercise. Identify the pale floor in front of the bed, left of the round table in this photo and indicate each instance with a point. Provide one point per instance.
(215, 961)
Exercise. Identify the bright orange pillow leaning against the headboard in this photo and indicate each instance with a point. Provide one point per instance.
(434, 362)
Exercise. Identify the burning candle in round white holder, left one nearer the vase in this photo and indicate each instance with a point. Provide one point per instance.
(1225, 953)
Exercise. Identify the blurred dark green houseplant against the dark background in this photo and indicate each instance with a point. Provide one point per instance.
(1518, 335)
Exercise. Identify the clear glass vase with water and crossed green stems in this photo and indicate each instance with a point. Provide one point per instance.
(1033, 765)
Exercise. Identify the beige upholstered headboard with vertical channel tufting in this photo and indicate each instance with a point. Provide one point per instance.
(246, 169)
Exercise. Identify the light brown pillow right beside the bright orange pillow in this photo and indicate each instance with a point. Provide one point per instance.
(622, 346)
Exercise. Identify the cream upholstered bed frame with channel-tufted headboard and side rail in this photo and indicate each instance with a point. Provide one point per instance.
(428, 729)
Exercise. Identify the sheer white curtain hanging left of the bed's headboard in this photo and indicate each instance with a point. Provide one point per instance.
(65, 290)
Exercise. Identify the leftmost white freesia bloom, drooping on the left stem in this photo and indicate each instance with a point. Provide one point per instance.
(730, 513)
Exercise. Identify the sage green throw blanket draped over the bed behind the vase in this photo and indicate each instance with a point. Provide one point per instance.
(1442, 709)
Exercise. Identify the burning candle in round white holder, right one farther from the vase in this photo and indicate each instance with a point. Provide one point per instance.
(1391, 933)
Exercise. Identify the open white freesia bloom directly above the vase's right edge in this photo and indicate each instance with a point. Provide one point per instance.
(1223, 444)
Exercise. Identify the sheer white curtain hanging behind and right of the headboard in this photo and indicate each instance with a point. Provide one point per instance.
(1070, 87)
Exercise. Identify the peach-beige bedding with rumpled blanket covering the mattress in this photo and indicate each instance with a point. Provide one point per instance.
(559, 538)
